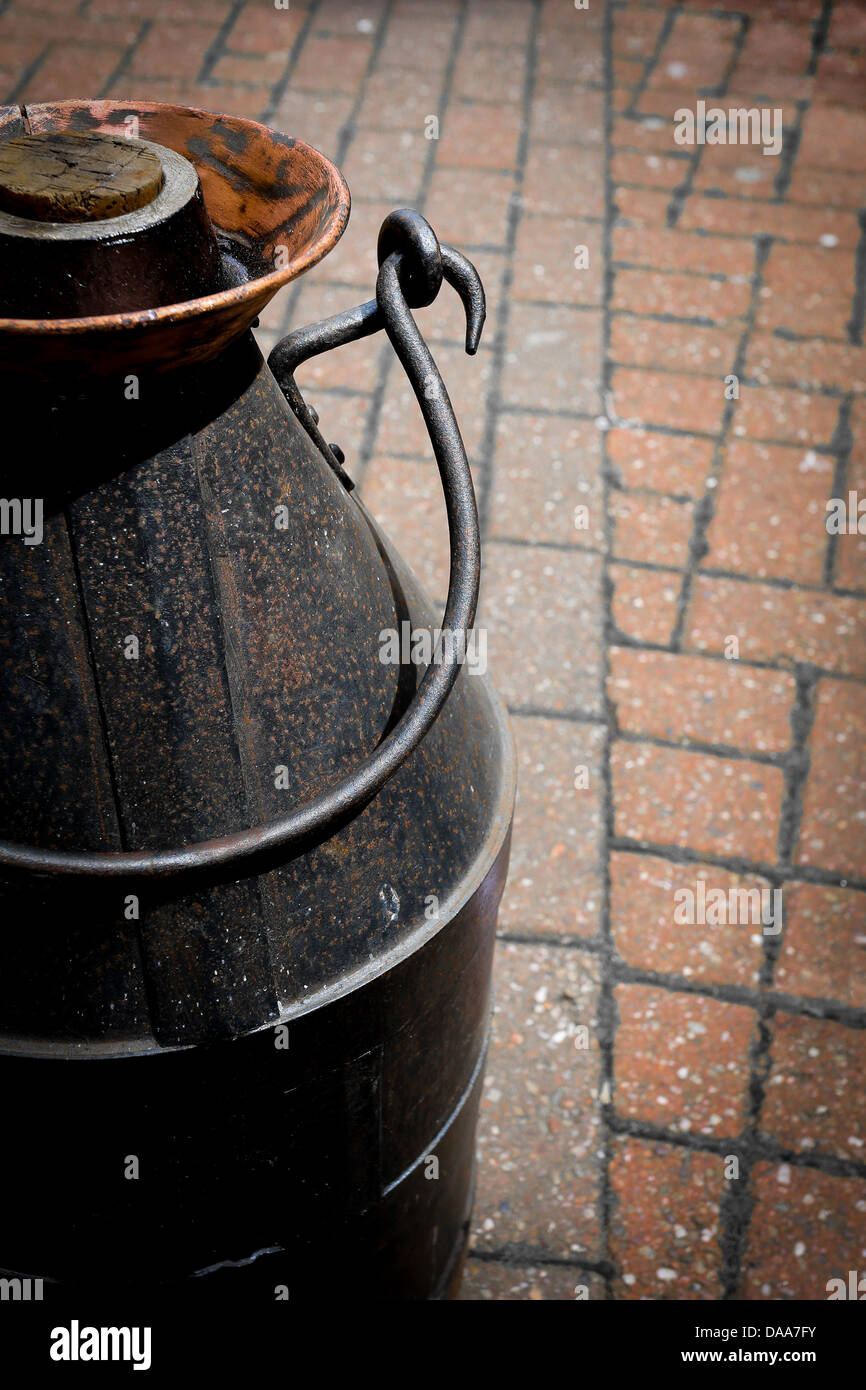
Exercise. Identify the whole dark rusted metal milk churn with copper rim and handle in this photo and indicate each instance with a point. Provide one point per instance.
(250, 869)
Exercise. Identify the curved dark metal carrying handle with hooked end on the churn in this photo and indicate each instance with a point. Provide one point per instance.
(412, 268)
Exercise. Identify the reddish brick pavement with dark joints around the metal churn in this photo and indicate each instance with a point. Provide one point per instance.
(676, 633)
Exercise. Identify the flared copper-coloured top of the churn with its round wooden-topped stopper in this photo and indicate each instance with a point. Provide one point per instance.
(195, 222)
